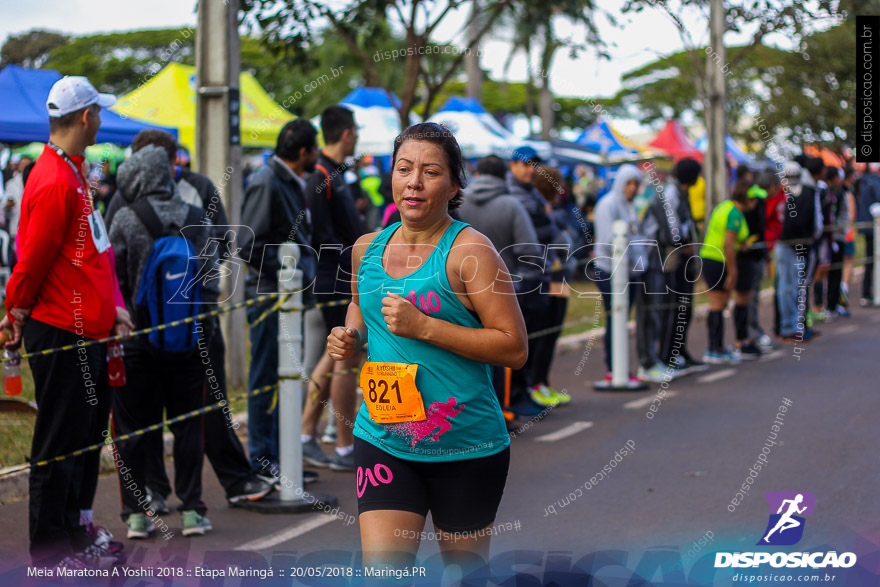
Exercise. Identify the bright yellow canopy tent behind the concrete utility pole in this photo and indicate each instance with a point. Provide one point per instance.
(169, 99)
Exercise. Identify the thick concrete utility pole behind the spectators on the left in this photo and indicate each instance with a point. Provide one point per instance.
(218, 143)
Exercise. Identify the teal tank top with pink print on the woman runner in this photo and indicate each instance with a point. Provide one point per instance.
(464, 420)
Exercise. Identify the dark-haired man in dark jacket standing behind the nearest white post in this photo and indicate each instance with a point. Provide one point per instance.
(274, 207)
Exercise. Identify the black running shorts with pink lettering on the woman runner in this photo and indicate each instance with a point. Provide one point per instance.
(462, 496)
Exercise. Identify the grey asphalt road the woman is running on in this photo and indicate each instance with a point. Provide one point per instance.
(655, 514)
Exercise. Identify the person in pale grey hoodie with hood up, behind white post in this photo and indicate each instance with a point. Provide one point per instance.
(616, 205)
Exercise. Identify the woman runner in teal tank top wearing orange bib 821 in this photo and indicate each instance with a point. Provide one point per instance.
(431, 293)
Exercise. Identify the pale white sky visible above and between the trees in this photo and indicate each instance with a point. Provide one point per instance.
(643, 38)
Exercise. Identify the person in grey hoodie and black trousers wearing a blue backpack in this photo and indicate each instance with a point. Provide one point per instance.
(157, 381)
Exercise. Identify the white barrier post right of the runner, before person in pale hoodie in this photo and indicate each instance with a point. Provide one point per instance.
(619, 306)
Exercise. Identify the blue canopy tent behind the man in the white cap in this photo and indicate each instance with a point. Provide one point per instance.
(23, 116)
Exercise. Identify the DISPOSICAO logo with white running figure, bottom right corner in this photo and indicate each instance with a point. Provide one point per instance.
(786, 528)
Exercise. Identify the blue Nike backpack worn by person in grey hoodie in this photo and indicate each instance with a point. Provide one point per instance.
(170, 288)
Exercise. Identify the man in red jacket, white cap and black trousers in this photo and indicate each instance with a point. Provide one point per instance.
(63, 291)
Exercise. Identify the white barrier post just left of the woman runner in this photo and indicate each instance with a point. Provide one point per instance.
(290, 351)
